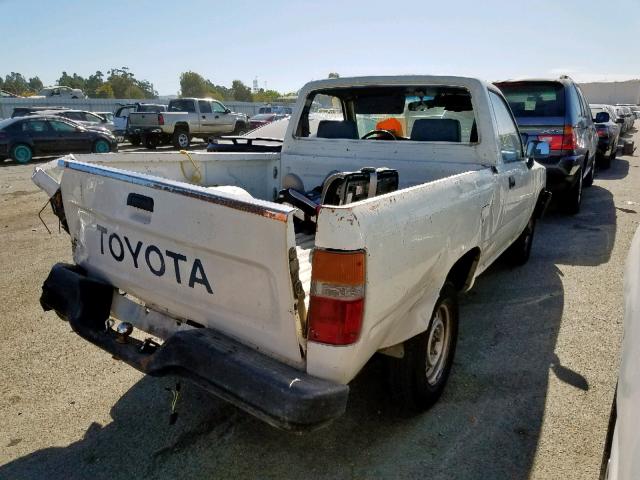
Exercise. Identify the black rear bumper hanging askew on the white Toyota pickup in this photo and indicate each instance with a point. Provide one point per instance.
(270, 390)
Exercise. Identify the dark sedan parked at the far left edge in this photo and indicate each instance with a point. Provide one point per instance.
(23, 138)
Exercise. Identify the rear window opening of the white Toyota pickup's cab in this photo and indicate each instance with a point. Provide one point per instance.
(418, 113)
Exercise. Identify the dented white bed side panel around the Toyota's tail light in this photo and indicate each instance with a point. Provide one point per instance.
(412, 238)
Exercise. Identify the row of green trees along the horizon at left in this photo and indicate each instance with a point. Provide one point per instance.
(122, 83)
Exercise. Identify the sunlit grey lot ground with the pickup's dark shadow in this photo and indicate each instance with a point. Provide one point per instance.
(529, 395)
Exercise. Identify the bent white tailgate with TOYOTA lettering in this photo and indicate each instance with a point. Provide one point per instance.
(216, 259)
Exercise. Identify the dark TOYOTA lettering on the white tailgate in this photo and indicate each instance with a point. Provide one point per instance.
(152, 256)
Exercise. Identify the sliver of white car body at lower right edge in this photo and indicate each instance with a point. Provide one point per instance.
(620, 460)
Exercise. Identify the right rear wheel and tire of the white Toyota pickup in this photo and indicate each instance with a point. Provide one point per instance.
(414, 387)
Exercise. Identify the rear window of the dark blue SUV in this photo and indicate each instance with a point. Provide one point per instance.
(535, 99)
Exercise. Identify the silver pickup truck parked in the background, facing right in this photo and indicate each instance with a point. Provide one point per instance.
(184, 119)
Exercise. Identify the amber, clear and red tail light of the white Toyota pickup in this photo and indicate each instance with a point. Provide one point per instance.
(336, 305)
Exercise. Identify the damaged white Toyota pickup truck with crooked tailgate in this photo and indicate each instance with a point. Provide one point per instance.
(271, 278)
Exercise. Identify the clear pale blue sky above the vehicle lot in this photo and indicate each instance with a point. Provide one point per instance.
(287, 43)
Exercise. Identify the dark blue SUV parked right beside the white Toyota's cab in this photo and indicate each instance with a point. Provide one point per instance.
(555, 111)
